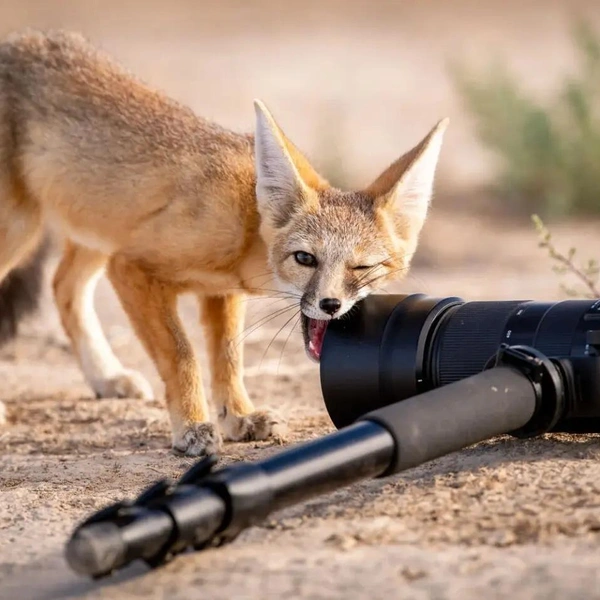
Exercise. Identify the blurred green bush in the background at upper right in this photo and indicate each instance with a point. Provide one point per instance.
(549, 152)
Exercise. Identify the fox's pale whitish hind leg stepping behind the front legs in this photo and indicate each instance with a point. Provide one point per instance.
(74, 285)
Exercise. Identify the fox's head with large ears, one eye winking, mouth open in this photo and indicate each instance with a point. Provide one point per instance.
(330, 248)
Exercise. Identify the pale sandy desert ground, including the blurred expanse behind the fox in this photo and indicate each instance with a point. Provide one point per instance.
(504, 518)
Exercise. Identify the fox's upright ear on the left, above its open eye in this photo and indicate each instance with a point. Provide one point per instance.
(284, 177)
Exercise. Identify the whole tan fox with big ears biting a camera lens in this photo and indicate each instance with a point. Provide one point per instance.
(163, 202)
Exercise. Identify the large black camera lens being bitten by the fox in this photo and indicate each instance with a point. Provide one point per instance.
(393, 347)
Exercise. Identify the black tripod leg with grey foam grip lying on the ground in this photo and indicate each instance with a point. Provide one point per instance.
(522, 392)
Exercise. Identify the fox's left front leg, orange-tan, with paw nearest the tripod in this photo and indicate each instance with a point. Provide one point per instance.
(151, 306)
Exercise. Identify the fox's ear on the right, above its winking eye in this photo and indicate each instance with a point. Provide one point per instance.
(406, 186)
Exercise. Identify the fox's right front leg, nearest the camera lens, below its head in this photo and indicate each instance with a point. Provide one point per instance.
(223, 321)
